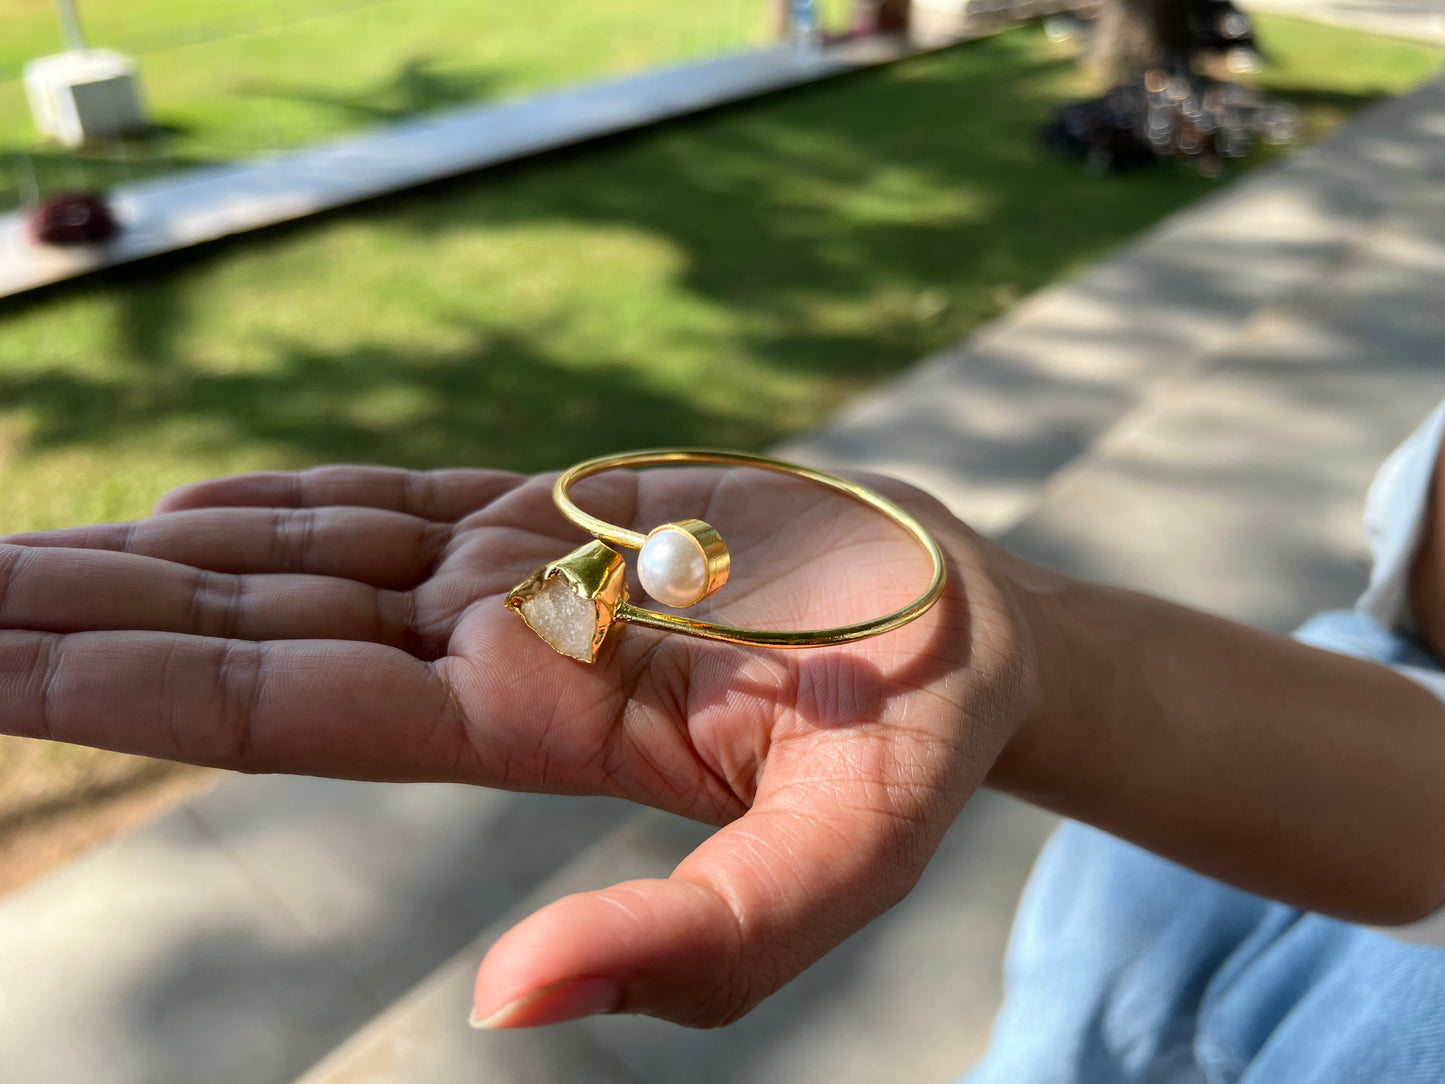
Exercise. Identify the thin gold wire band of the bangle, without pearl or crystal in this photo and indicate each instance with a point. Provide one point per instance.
(728, 634)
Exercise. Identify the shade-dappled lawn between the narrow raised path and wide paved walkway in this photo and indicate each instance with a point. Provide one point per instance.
(729, 280)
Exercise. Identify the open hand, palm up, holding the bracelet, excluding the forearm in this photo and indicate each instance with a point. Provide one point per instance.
(349, 622)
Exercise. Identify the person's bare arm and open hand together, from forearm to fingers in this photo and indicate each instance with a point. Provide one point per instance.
(350, 622)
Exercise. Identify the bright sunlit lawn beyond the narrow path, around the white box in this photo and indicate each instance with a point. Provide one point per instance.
(258, 76)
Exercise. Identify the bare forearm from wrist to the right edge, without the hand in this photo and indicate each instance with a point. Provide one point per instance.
(1291, 773)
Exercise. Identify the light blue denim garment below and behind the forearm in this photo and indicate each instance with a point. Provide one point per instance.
(1128, 968)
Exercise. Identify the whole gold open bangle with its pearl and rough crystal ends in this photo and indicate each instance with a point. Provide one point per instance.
(576, 602)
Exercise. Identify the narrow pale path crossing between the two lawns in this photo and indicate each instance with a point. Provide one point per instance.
(202, 206)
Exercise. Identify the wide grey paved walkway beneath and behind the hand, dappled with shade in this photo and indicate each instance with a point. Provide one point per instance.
(1197, 416)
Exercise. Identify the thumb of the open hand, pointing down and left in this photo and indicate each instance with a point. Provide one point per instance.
(755, 906)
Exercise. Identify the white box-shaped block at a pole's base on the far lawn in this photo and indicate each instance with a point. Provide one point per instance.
(86, 95)
